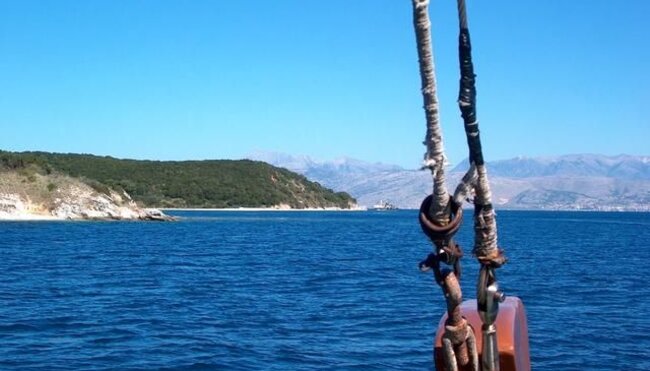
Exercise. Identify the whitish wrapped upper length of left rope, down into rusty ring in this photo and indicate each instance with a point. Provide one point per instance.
(434, 158)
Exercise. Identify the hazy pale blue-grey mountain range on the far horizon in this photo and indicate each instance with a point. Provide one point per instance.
(569, 182)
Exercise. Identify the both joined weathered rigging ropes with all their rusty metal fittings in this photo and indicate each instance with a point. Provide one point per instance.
(440, 214)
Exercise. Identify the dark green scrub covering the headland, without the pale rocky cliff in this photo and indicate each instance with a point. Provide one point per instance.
(210, 183)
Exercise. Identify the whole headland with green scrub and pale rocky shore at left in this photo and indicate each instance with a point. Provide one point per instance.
(83, 186)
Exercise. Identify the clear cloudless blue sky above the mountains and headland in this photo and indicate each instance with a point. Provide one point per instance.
(164, 79)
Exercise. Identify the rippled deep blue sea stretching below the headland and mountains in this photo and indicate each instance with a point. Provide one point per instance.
(308, 290)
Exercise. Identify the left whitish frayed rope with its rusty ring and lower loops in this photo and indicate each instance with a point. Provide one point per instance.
(440, 216)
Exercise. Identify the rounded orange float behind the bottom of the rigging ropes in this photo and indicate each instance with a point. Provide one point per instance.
(512, 334)
